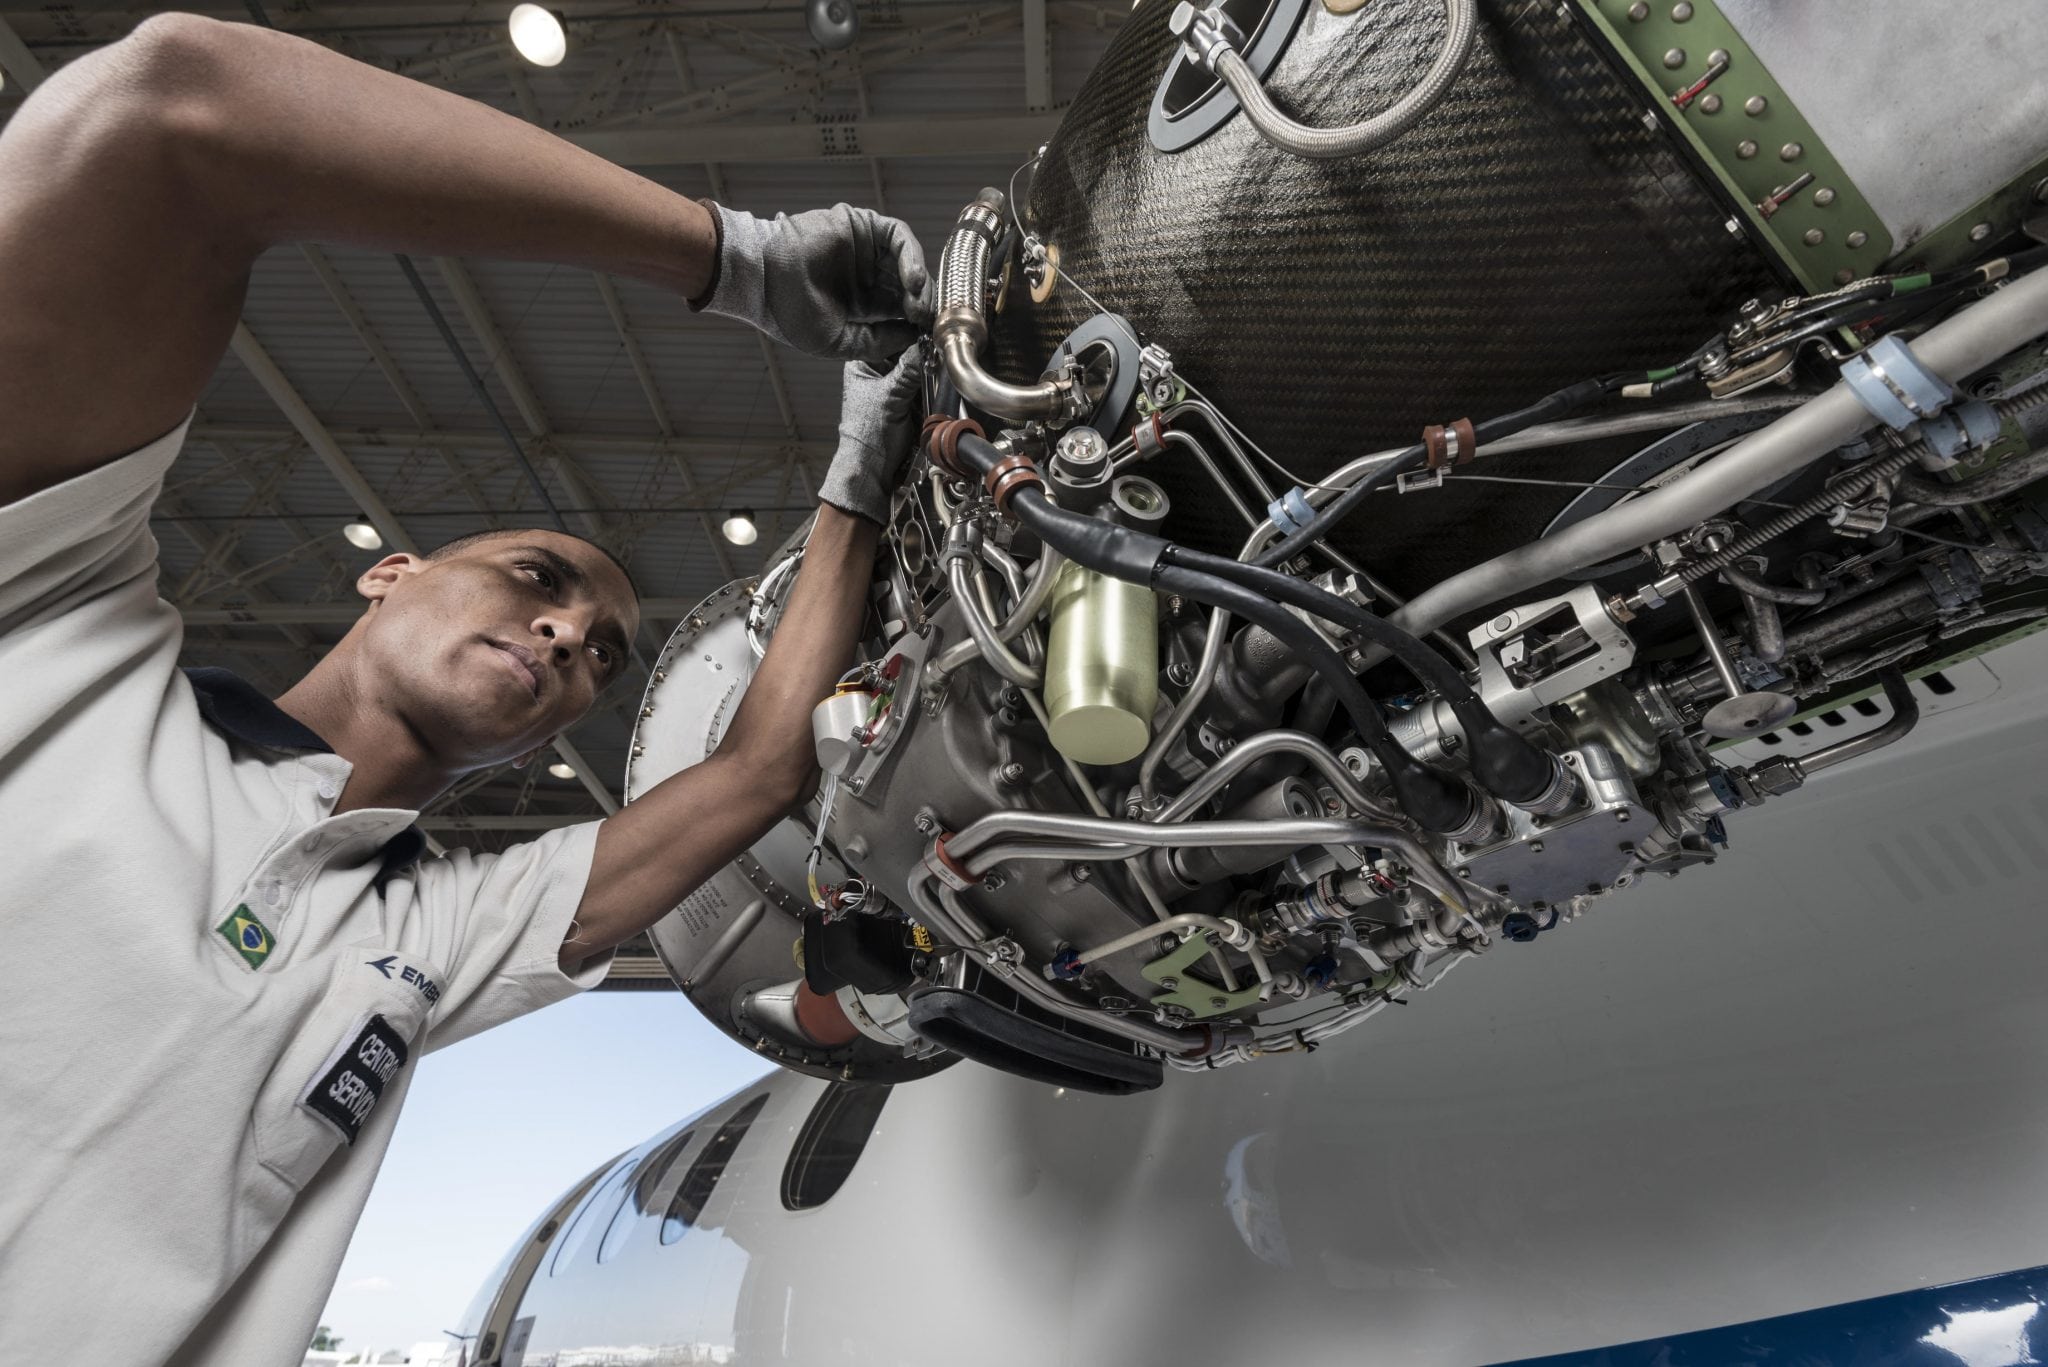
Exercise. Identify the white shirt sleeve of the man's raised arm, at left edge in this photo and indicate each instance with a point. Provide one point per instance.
(79, 606)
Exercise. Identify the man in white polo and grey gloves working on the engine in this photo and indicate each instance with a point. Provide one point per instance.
(220, 948)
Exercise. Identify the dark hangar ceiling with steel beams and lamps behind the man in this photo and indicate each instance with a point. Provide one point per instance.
(646, 423)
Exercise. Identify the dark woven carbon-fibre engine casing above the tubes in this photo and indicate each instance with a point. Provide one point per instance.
(1529, 233)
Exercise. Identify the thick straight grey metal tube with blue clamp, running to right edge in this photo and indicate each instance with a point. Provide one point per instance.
(1961, 345)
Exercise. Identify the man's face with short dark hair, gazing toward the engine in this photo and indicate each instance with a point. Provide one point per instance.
(497, 649)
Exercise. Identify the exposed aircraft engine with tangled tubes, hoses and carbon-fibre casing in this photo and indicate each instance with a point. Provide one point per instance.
(1398, 477)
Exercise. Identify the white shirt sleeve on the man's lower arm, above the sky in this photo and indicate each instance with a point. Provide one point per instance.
(495, 925)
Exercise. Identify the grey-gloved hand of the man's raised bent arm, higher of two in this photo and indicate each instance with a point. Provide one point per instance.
(845, 284)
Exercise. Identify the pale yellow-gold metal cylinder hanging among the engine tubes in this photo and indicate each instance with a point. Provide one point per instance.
(1101, 667)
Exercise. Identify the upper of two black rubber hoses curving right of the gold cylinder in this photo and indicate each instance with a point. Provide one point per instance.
(1504, 761)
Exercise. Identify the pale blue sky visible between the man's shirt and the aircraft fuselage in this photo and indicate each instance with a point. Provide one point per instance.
(503, 1124)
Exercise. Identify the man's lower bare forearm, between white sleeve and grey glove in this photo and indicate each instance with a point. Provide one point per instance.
(652, 854)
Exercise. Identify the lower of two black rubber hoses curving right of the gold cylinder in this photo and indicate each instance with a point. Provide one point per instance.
(1433, 798)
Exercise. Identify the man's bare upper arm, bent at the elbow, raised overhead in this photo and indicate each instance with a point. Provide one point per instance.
(140, 185)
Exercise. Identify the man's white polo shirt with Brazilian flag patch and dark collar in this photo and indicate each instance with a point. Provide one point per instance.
(212, 987)
